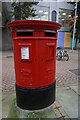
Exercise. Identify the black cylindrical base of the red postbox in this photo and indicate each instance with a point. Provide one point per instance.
(35, 99)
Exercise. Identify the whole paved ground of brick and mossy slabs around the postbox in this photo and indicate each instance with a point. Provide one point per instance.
(67, 79)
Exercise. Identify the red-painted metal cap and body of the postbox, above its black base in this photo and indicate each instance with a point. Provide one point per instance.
(39, 70)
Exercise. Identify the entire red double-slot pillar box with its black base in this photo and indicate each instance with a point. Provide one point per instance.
(34, 46)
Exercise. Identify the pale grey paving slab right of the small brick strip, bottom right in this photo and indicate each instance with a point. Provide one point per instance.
(69, 100)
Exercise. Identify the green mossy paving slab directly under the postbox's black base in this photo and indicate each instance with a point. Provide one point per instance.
(18, 113)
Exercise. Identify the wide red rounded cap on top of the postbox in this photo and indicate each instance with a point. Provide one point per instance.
(34, 24)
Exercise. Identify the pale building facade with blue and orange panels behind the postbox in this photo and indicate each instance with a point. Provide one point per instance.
(57, 11)
